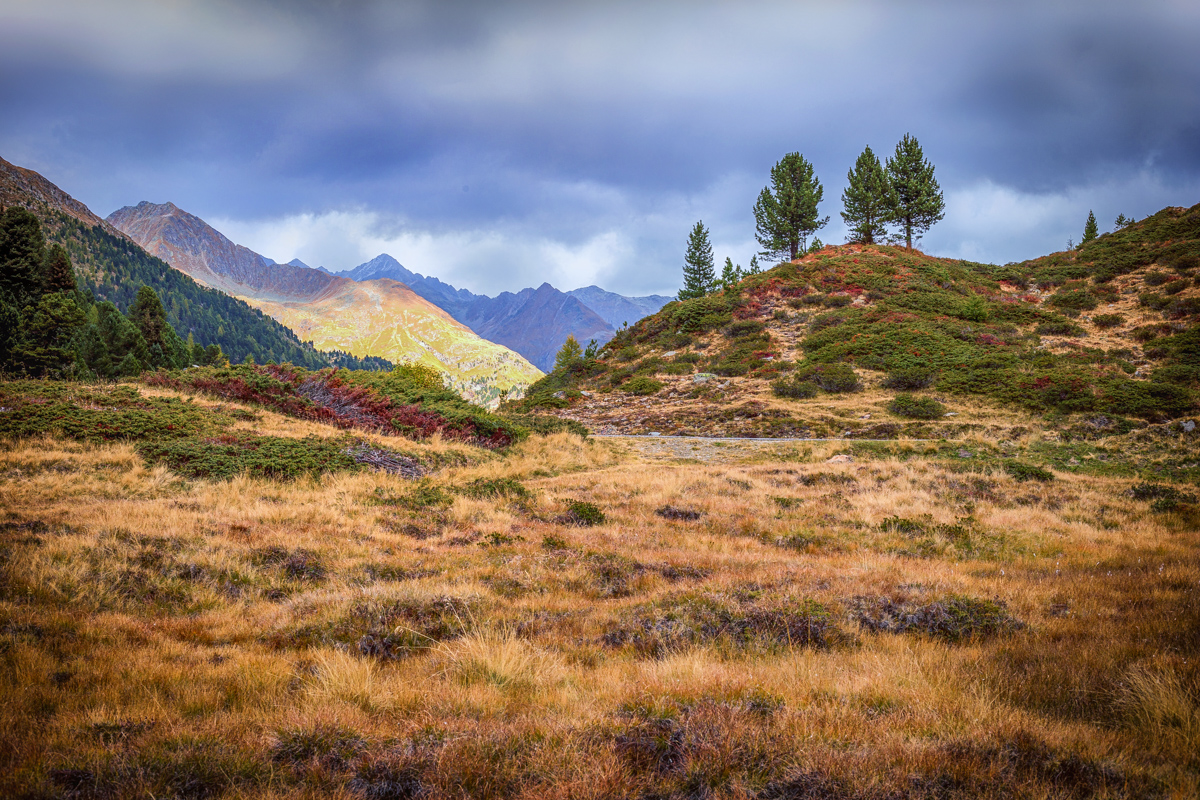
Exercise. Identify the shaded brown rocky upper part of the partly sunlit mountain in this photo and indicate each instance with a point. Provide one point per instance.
(193, 246)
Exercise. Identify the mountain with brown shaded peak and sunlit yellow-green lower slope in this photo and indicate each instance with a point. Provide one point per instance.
(375, 318)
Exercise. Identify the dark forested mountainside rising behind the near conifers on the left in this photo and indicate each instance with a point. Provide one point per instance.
(113, 267)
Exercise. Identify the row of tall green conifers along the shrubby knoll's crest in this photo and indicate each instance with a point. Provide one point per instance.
(903, 194)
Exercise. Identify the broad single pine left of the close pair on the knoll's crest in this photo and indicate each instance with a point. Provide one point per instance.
(787, 212)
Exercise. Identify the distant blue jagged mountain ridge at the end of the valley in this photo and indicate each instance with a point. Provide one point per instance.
(532, 322)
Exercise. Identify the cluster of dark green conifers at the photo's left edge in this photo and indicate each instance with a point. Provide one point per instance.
(51, 329)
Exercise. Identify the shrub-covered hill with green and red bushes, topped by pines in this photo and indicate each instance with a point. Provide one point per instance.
(880, 342)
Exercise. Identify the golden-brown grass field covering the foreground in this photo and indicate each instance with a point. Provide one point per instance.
(903, 625)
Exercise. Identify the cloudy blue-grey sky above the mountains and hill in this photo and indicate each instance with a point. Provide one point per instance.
(497, 146)
